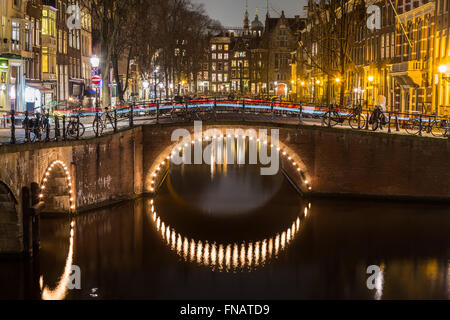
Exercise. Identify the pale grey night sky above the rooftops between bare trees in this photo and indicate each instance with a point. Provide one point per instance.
(231, 12)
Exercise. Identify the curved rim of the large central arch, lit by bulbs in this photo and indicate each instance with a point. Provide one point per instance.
(290, 161)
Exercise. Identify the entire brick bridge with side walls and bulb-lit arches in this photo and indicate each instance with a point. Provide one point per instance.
(81, 175)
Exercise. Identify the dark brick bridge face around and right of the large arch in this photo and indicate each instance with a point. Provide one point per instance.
(344, 162)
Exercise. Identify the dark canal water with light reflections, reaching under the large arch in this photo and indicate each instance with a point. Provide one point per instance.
(226, 232)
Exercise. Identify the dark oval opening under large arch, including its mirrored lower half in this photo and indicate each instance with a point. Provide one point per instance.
(215, 187)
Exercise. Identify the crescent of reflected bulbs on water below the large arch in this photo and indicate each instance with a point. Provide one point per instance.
(227, 257)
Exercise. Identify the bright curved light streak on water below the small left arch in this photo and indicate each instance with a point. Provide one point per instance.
(60, 292)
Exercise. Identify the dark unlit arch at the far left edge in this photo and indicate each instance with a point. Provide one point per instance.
(9, 220)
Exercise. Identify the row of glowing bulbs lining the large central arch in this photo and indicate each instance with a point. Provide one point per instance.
(284, 153)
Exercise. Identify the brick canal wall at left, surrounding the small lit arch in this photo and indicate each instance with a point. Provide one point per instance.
(103, 170)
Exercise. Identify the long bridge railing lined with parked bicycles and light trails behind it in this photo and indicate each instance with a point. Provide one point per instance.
(27, 127)
